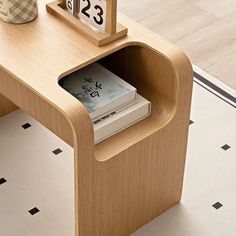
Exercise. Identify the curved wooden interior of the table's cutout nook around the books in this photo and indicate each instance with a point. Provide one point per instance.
(129, 64)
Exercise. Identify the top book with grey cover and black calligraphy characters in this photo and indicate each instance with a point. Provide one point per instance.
(100, 90)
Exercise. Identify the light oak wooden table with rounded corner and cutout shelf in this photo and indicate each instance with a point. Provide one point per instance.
(134, 176)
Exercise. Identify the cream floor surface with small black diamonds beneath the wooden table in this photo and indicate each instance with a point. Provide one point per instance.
(36, 177)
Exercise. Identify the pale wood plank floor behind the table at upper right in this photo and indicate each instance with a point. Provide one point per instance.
(204, 29)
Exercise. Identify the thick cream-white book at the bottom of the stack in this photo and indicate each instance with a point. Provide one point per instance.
(121, 119)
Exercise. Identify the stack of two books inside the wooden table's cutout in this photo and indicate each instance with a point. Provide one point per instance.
(112, 103)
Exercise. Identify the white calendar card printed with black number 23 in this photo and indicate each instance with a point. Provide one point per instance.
(93, 12)
